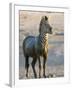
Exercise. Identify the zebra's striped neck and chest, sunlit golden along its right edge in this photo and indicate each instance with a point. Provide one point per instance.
(43, 39)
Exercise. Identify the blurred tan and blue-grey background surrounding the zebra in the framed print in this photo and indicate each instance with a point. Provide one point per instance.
(29, 26)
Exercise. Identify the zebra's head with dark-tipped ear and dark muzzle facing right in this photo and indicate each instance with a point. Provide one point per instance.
(45, 26)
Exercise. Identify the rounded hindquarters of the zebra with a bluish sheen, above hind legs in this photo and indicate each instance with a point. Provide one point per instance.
(29, 46)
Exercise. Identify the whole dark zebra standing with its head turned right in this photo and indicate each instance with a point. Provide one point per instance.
(37, 47)
